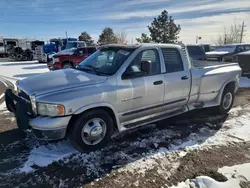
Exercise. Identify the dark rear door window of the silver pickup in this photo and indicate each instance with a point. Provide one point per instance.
(172, 59)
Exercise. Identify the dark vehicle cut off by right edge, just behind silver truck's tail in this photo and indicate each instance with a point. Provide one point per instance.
(243, 59)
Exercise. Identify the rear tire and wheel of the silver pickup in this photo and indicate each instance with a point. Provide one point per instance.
(227, 100)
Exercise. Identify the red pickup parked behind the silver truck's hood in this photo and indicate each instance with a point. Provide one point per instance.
(71, 59)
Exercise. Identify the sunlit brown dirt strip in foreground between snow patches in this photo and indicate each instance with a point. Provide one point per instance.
(193, 164)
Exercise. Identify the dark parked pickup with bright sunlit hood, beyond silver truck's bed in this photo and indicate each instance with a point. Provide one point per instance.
(226, 53)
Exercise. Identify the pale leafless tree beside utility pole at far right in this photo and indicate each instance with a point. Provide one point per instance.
(231, 34)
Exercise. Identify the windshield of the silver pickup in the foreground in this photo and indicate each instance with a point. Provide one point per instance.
(105, 61)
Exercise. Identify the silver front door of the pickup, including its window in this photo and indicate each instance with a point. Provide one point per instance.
(141, 95)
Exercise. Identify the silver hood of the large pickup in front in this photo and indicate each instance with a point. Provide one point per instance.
(58, 80)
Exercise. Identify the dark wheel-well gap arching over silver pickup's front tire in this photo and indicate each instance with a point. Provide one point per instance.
(107, 109)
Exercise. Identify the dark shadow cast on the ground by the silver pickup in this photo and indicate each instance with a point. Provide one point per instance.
(81, 168)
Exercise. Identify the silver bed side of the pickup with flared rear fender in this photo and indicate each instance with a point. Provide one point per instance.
(208, 79)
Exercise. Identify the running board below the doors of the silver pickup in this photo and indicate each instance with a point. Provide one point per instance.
(157, 118)
